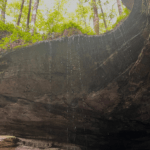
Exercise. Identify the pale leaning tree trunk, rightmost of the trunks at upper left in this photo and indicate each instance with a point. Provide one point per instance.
(33, 20)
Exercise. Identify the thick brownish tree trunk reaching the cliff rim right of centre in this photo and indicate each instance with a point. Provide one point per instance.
(95, 19)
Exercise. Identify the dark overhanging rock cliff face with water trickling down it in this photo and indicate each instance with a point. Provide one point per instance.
(89, 91)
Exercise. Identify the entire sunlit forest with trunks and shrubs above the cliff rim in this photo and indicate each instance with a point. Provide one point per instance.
(24, 22)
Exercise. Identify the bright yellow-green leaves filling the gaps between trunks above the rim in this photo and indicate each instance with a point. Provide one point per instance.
(55, 20)
